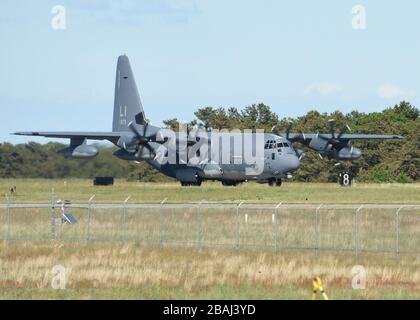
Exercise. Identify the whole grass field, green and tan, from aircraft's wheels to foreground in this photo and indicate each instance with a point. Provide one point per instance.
(134, 270)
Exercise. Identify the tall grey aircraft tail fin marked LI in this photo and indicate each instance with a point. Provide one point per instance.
(127, 103)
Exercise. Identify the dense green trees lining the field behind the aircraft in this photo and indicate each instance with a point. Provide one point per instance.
(383, 161)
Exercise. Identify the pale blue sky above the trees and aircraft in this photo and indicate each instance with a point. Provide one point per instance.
(294, 56)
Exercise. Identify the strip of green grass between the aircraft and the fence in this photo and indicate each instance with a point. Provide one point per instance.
(326, 193)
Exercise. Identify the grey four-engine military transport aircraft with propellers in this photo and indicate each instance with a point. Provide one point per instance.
(138, 140)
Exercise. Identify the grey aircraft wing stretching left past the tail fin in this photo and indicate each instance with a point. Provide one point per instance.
(110, 136)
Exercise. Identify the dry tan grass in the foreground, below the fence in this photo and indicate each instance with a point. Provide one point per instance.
(28, 267)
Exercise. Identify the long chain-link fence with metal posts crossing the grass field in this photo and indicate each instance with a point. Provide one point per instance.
(359, 229)
